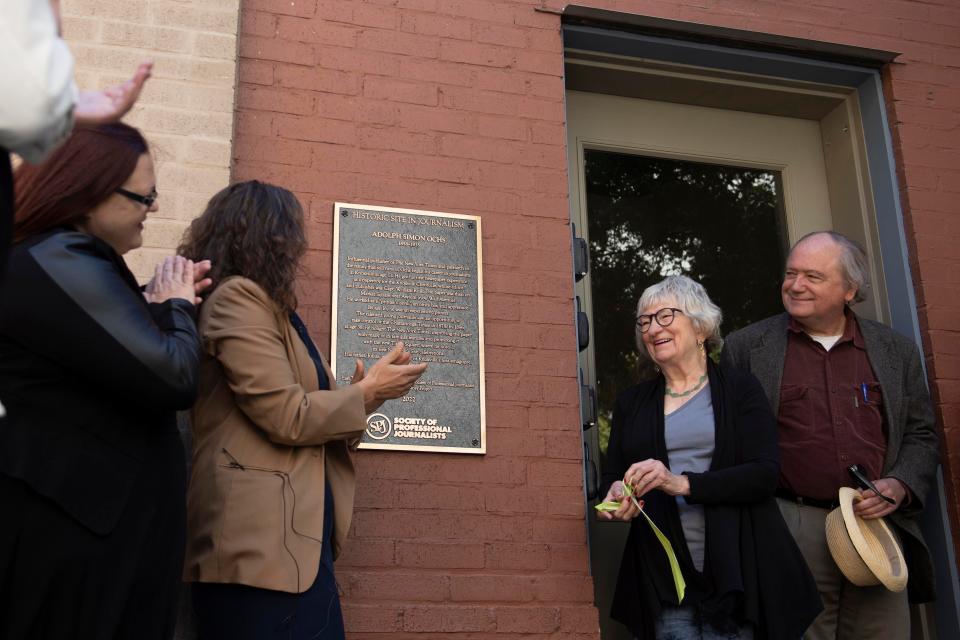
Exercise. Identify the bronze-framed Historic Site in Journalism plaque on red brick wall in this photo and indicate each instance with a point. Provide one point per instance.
(413, 276)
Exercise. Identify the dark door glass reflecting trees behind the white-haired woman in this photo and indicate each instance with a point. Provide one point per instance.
(652, 217)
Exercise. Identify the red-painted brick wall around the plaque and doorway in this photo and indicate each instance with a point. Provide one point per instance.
(457, 105)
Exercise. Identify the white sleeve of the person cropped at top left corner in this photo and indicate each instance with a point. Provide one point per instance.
(37, 89)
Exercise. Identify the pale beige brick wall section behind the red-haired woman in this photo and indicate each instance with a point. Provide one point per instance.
(186, 110)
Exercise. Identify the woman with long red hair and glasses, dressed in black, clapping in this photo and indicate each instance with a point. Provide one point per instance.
(92, 371)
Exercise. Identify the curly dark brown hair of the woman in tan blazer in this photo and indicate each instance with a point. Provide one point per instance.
(254, 230)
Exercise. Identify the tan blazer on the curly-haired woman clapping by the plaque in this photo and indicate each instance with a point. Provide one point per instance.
(264, 440)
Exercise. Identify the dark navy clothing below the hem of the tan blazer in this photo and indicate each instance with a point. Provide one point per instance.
(239, 612)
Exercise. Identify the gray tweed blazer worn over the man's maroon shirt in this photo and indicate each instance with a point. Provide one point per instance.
(912, 441)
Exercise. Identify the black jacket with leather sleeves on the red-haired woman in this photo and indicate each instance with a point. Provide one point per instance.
(90, 373)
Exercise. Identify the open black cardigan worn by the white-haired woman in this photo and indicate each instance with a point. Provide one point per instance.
(753, 570)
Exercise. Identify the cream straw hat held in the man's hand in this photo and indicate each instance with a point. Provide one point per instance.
(866, 551)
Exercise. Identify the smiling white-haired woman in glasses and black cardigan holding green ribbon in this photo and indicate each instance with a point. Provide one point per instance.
(697, 443)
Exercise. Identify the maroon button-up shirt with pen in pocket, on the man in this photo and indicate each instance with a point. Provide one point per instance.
(830, 414)
